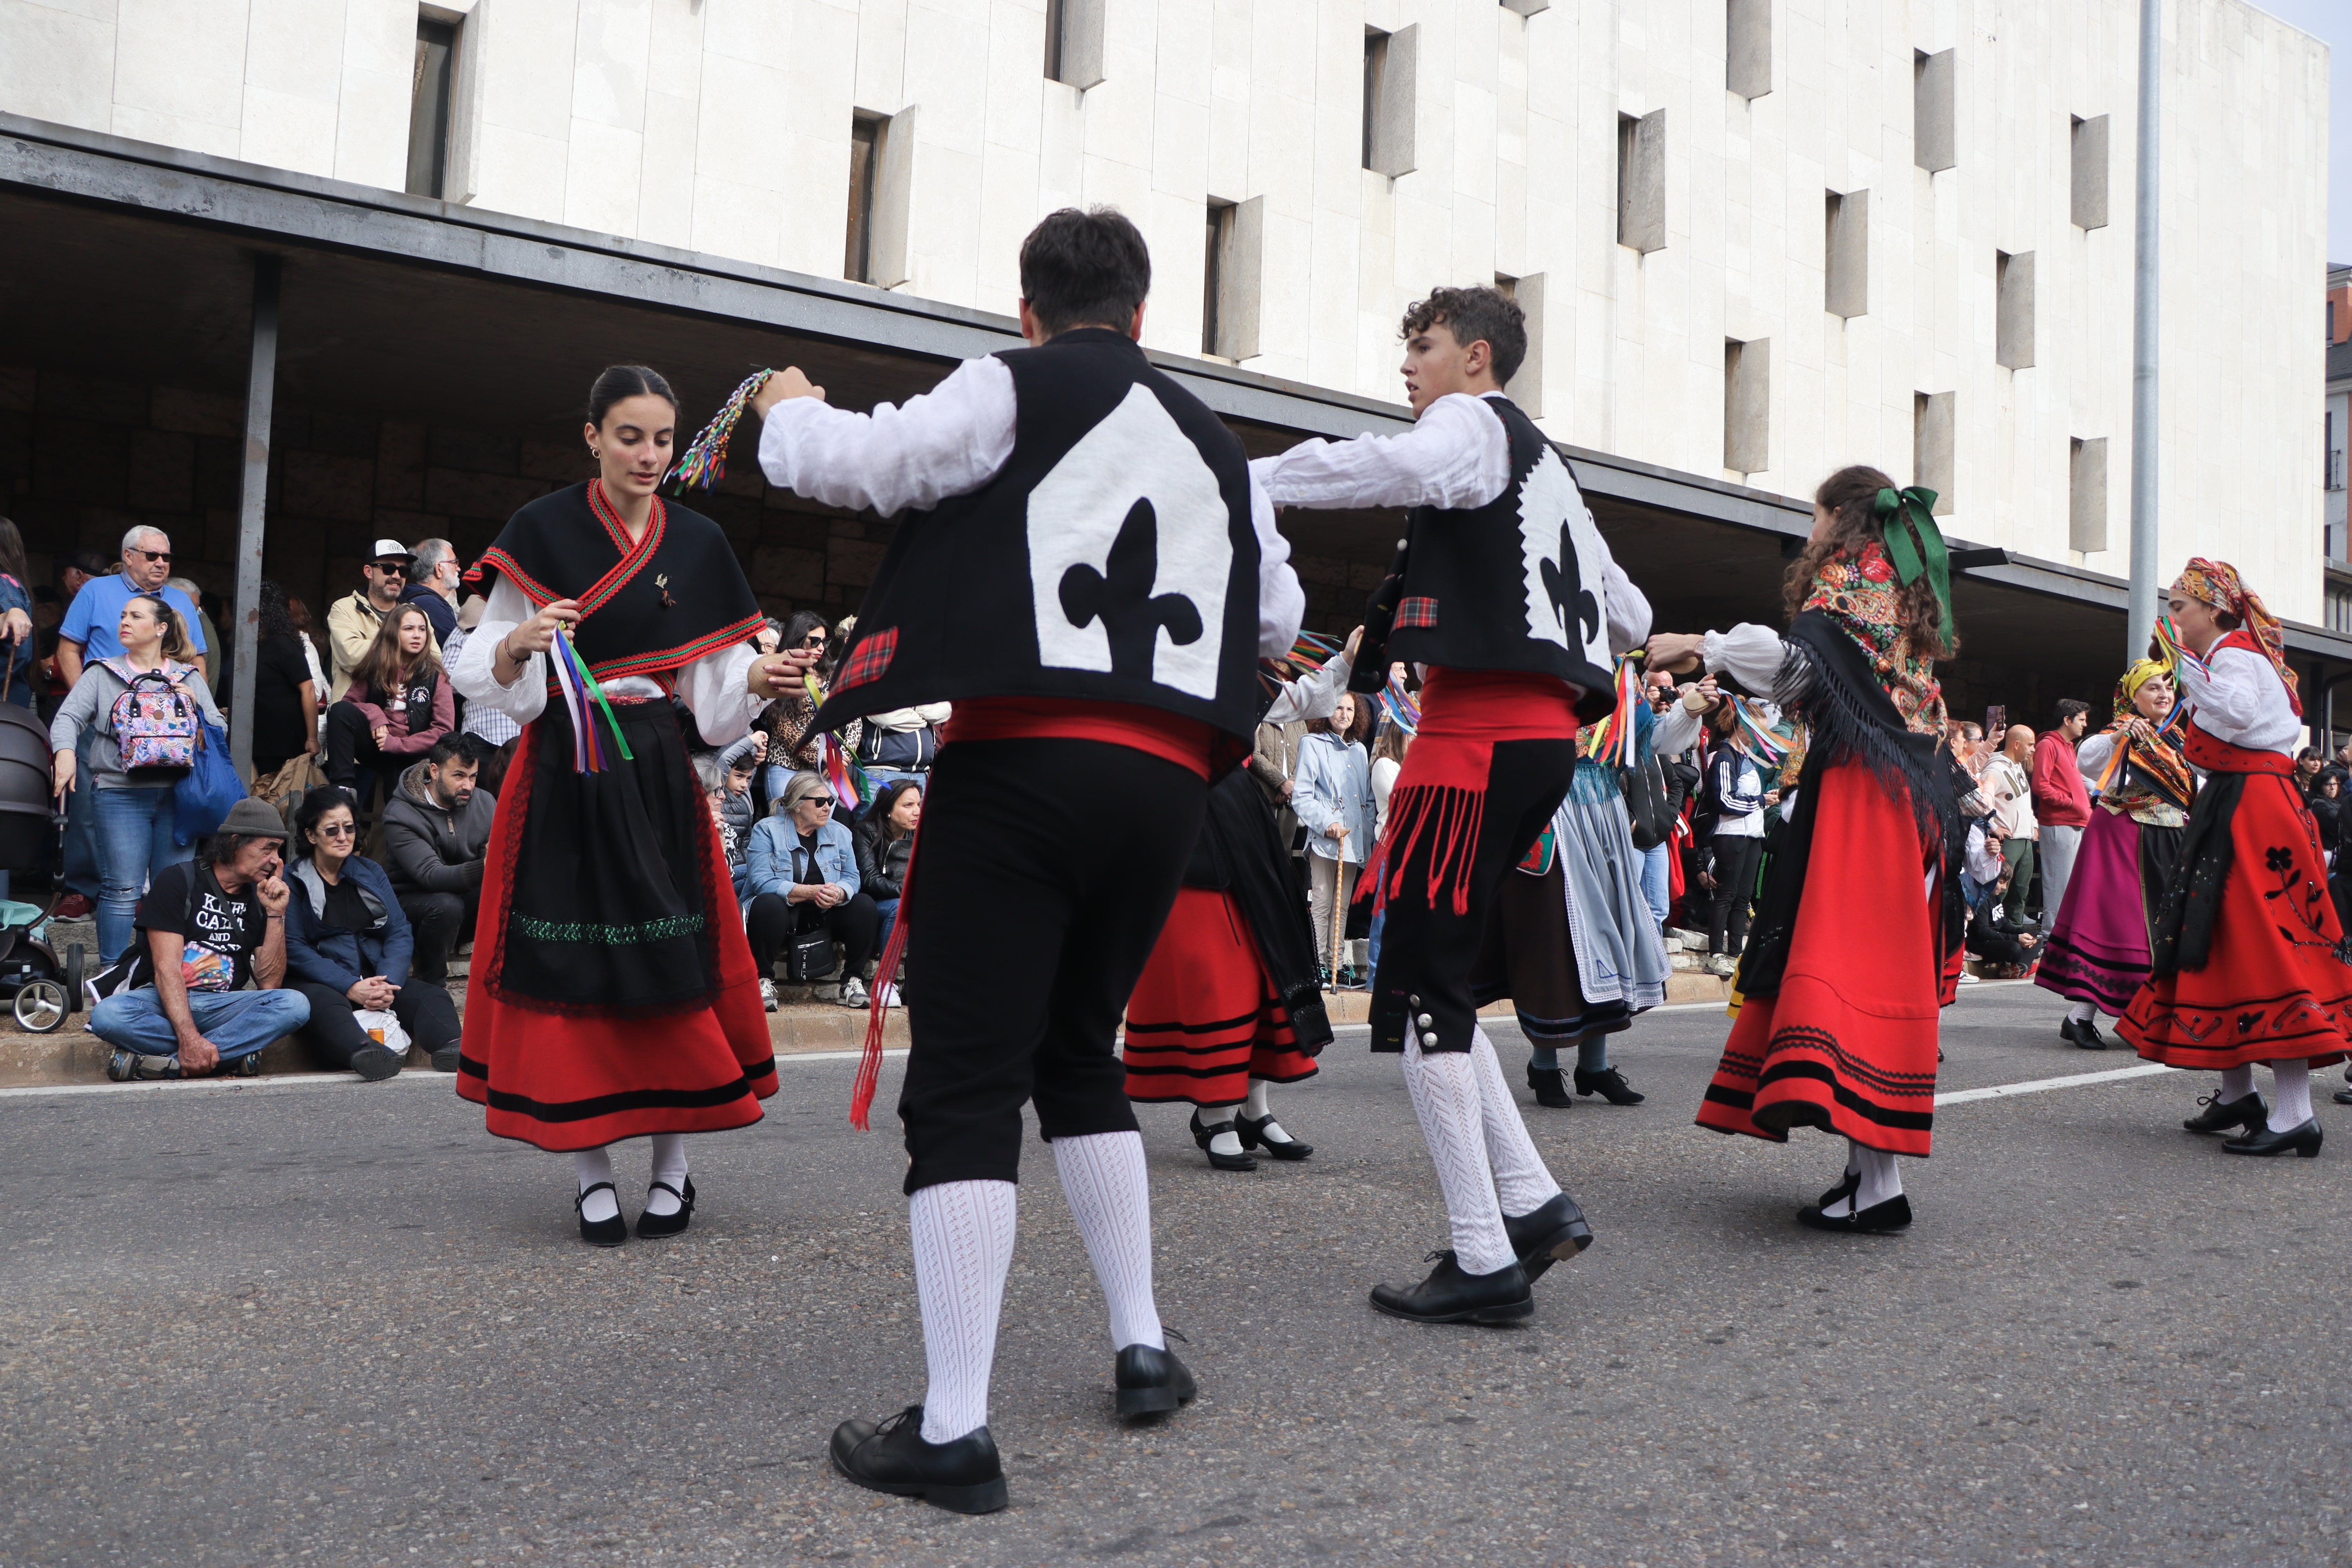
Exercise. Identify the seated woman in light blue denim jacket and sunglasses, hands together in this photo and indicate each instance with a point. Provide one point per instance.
(806, 876)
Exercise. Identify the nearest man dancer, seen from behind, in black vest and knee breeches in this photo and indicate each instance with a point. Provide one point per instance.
(1081, 497)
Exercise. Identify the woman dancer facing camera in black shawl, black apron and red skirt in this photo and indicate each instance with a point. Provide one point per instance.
(613, 989)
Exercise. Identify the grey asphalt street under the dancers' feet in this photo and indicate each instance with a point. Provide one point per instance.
(340, 1325)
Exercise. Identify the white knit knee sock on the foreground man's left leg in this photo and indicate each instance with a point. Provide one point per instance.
(963, 1247)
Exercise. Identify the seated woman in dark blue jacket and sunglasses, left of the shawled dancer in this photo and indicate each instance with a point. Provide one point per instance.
(349, 949)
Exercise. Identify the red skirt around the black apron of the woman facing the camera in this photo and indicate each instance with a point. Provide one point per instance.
(575, 1080)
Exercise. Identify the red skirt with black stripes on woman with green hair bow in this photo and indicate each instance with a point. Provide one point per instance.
(1850, 1043)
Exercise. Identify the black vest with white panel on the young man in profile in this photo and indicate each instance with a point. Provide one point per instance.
(1514, 584)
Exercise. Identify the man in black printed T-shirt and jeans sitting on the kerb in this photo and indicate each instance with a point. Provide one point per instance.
(178, 1007)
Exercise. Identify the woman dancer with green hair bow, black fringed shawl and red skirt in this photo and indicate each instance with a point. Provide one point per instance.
(1845, 970)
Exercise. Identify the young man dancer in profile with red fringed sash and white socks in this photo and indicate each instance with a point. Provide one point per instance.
(1514, 603)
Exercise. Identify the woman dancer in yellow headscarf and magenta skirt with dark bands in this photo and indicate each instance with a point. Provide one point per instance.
(2097, 956)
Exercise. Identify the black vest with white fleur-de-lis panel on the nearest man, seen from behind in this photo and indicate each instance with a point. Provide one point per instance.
(1111, 558)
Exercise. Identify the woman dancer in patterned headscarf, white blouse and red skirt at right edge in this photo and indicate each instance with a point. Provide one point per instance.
(2247, 958)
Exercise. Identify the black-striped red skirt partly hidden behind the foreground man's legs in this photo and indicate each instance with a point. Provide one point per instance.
(1203, 1019)
